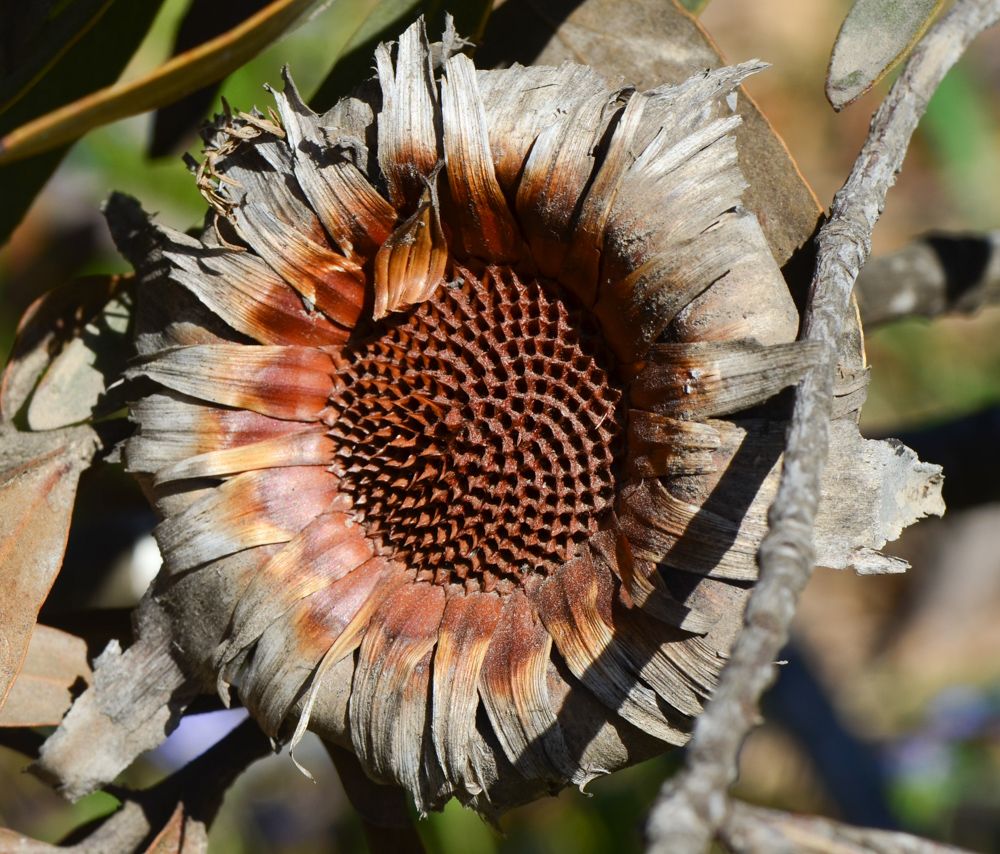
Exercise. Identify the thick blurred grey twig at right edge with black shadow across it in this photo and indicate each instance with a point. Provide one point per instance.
(934, 274)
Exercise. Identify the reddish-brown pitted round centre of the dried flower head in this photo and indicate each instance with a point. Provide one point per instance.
(480, 435)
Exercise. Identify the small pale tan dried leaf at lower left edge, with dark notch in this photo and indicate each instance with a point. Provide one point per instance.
(54, 668)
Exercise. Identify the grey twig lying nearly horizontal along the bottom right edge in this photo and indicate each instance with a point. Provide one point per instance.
(755, 830)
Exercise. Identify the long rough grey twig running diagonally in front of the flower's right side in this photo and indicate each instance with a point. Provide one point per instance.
(694, 804)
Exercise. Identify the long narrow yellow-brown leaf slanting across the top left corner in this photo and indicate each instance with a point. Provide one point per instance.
(174, 79)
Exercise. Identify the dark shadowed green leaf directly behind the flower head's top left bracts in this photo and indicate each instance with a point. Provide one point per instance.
(354, 64)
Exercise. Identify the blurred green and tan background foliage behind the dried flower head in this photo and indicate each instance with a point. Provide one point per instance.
(899, 676)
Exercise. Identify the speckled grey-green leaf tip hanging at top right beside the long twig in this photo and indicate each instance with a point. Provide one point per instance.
(874, 37)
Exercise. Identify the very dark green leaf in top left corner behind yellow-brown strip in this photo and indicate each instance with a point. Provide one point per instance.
(95, 60)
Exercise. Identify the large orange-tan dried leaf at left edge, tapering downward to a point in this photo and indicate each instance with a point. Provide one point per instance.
(38, 477)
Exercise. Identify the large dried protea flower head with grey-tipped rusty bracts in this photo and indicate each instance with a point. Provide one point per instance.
(453, 416)
